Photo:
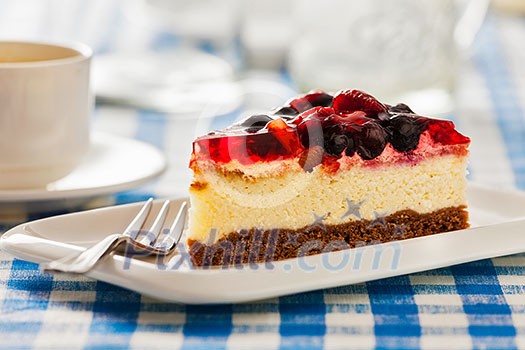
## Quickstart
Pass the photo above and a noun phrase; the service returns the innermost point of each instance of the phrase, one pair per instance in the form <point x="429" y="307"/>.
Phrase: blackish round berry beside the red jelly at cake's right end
<point x="405" y="131"/>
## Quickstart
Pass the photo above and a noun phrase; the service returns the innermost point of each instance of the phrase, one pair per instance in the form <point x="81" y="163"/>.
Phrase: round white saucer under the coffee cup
<point x="112" y="164"/>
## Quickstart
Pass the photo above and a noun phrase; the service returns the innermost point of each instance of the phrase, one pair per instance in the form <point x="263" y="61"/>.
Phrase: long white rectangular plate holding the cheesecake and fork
<point x="497" y="220"/>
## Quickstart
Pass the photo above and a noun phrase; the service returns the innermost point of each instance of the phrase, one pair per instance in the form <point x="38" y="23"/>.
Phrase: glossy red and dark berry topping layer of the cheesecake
<point x="320" y="129"/>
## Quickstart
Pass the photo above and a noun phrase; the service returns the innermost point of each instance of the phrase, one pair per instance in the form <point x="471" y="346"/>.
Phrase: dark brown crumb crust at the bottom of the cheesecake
<point x="257" y="246"/>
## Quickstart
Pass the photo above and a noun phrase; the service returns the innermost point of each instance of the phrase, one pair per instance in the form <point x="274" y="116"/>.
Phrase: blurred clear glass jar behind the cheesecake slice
<point x="397" y="50"/>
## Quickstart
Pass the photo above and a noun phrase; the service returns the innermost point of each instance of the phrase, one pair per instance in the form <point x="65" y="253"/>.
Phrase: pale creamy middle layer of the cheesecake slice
<point x="231" y="202"/>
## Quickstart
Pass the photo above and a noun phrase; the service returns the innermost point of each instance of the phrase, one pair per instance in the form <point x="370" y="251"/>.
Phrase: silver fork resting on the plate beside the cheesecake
<point x="85" y="261"/>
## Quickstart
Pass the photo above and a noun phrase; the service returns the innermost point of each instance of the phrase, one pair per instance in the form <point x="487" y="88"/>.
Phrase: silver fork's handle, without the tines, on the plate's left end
<point x="85" y="261"/>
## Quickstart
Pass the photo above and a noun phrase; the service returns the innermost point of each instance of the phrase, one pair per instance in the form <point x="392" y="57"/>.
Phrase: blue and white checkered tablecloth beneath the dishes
<point x="476" y="305"/>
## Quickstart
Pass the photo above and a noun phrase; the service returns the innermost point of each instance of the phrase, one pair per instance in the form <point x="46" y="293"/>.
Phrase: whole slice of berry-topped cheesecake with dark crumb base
<point x="324" y="173"/>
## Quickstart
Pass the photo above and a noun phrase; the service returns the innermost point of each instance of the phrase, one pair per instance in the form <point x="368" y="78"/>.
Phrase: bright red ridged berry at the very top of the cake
<point x="349" y="101"/>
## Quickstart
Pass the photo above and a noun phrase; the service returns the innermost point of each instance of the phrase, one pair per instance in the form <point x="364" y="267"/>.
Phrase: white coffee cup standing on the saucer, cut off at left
<point x="45" y="107"/>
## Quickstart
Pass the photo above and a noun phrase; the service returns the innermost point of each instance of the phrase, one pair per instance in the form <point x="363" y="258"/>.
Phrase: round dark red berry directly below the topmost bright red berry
<point x="370" y="140"/>
